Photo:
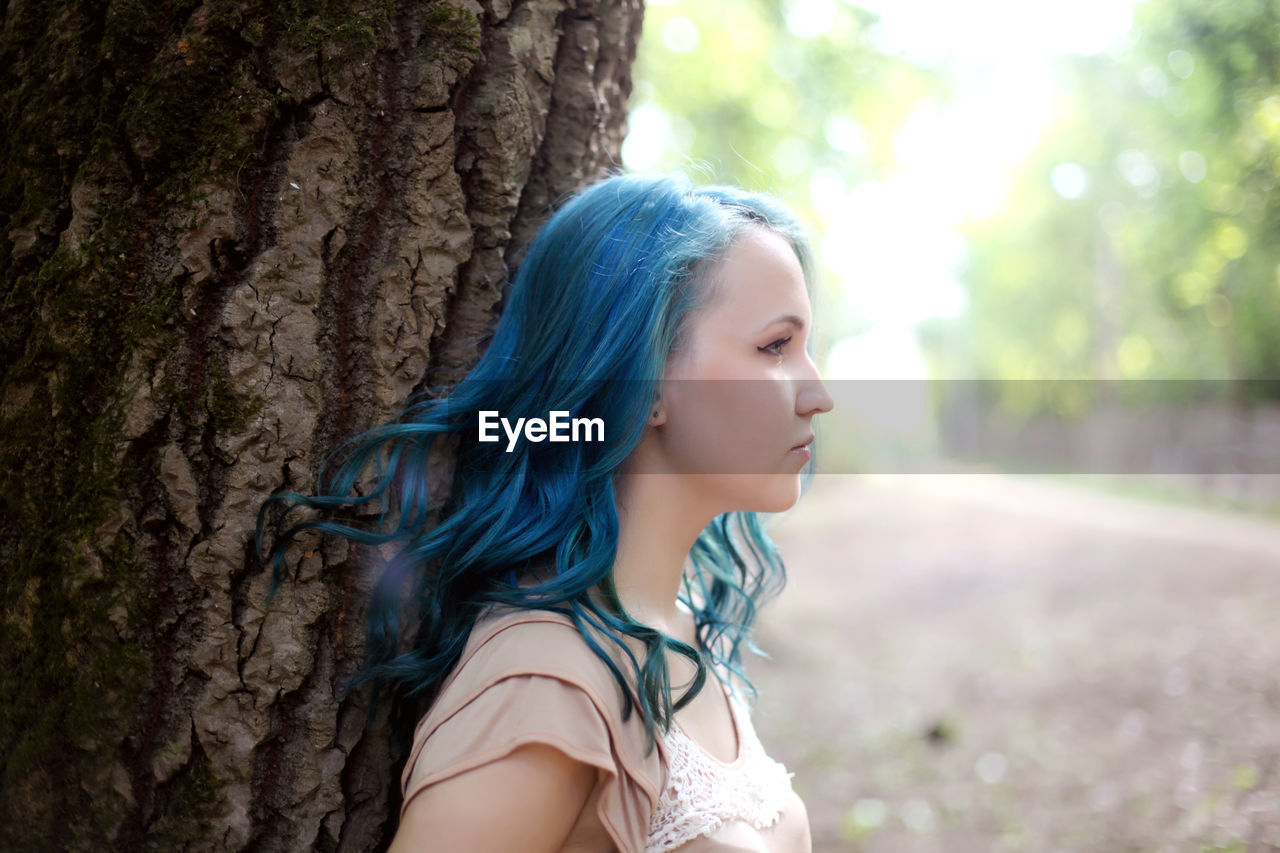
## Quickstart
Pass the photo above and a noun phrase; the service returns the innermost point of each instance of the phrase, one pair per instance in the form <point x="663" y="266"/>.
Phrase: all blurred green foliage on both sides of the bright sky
<point x="1137" y="240"/>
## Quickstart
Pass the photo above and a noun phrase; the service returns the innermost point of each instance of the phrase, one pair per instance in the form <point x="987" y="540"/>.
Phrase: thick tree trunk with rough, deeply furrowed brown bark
<point x="231" y="236"/>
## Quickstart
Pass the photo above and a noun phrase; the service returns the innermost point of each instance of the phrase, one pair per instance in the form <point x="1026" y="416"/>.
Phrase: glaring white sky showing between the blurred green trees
<point x="957" y="158"/>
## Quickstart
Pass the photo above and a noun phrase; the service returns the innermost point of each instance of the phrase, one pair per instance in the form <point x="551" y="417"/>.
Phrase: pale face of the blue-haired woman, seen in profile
<point x="740" y="395"/>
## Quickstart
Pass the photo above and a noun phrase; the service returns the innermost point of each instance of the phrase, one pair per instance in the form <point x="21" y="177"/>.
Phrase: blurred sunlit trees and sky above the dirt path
<point x="1049" y="227"/>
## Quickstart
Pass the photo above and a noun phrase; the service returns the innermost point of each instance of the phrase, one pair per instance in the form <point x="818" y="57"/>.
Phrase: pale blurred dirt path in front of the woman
<point x="998" y="664"/>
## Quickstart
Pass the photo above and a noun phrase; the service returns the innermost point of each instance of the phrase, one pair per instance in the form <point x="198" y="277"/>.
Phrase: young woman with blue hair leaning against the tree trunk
<point x="582" y="605"/>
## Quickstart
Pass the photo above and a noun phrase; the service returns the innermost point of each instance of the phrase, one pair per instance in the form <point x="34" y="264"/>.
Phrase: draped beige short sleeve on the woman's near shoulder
<point x="538" y="683"/>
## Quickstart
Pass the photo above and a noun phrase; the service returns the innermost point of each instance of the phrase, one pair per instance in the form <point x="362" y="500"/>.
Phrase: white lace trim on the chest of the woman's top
<point x="702" y="792"/>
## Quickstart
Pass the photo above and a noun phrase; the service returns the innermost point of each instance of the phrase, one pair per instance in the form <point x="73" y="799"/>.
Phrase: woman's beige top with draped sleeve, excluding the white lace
<point x="528" y="677"/>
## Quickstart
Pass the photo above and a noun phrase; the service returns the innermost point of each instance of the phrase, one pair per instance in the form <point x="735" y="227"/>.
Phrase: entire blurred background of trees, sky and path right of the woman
<point x="1043" y="617"/>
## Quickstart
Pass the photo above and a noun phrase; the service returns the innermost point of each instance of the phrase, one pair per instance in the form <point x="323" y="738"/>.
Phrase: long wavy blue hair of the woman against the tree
<point x="598" y="305"/>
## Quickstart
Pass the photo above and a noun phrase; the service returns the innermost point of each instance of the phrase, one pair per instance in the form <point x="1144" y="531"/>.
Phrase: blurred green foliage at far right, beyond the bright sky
<point x="1140" y="239"/>
